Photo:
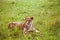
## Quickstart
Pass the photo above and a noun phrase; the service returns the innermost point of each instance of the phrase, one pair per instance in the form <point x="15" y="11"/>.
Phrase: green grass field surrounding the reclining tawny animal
<point x="46" y="15"/>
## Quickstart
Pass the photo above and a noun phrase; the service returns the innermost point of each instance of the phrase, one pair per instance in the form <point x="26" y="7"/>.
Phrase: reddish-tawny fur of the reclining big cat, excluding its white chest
<point x="23" y="25"/>
